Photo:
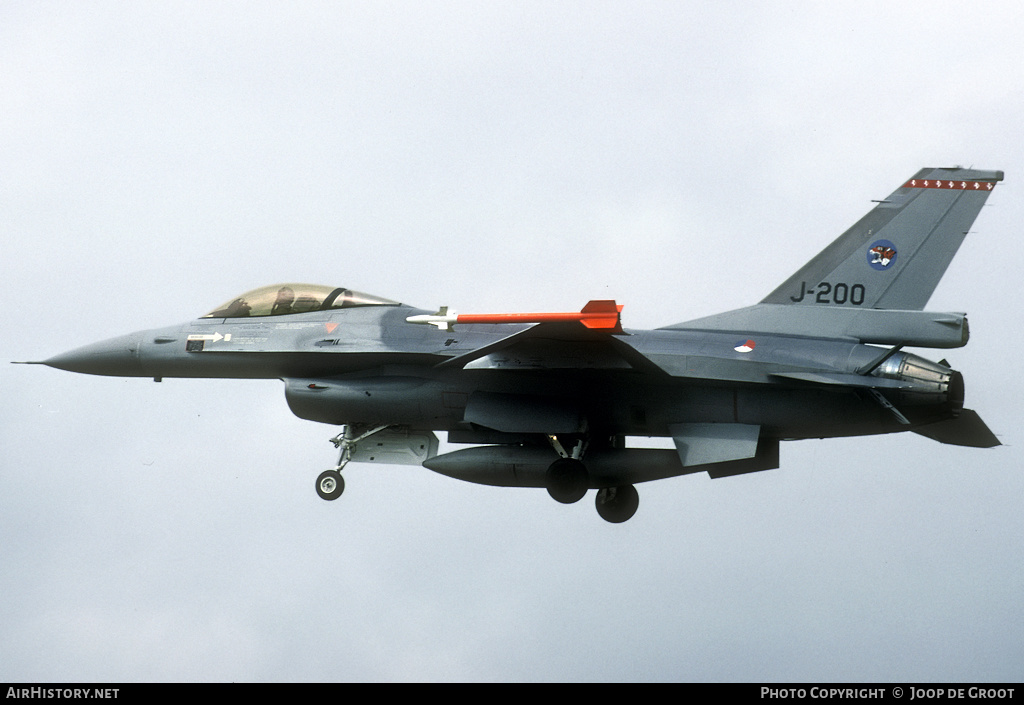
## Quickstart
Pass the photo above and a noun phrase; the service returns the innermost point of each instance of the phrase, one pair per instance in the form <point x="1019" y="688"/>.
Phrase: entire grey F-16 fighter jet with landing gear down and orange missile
<point x="551" y="400"/>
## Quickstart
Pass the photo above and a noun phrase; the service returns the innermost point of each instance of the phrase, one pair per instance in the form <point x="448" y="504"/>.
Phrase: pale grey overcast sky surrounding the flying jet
<point x="684" y="158"/>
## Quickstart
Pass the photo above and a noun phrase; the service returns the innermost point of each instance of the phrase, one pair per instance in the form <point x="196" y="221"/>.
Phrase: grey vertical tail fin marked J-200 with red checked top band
<point x="894" y="257"/>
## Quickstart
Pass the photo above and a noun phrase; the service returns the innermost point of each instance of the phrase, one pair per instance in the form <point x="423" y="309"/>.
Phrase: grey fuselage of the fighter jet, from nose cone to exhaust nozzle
<point x="369" y="366"/>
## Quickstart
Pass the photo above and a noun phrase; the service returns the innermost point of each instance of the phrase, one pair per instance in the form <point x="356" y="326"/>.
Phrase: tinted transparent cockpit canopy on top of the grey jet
<point x="280" y="300"/>
